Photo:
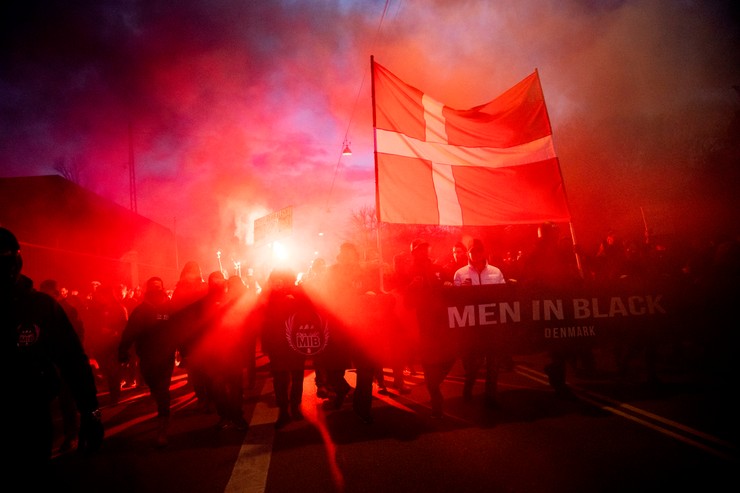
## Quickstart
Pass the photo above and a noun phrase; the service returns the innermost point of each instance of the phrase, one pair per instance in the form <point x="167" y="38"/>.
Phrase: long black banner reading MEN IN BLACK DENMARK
<point x="521" y="320"/>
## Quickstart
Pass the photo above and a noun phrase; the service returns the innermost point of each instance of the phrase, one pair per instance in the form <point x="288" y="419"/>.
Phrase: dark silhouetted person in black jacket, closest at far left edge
<point x="39" y="346"/>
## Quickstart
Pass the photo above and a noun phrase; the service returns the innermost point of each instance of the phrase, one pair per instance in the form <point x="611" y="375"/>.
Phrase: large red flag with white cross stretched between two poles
<point x="494" y="164"/>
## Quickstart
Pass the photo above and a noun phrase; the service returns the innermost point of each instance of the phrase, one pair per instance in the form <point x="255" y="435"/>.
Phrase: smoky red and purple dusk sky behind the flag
<point x="238" y="108"/>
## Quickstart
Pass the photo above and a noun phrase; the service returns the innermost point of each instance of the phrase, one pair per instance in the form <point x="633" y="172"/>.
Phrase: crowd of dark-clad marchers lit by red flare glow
<point x="350" y="314"/>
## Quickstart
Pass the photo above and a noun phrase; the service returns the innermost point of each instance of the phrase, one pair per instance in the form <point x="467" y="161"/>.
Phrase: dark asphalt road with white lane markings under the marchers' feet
<point x="618" y="434"/>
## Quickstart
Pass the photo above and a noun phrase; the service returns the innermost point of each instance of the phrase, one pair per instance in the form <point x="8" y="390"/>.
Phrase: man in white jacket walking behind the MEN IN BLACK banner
<point x="475" y="350"/>
